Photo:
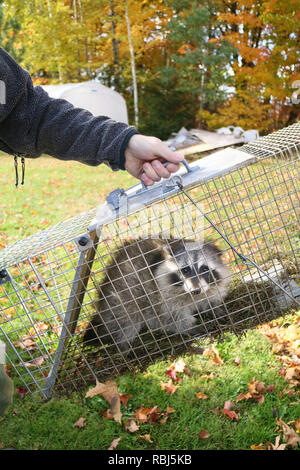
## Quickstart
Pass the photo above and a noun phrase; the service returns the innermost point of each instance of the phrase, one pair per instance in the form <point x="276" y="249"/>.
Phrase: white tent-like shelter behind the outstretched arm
<point x="93" y="96"/>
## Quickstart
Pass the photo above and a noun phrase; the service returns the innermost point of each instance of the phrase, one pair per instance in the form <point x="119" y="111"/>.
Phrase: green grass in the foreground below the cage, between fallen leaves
<point x="37" y="425"/>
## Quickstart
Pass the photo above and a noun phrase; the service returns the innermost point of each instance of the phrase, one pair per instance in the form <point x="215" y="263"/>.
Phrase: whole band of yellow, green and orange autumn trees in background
<point x="176" y="62"/>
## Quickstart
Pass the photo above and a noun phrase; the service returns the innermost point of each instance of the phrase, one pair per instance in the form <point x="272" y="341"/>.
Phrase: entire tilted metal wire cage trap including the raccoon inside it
<point x="156" y="271"/>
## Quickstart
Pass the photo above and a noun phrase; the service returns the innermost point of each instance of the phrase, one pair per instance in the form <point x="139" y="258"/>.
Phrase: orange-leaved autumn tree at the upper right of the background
<point x="266" y="37"/>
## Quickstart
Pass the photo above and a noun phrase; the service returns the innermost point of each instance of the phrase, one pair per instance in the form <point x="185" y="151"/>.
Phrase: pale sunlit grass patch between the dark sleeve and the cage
<point x="53" y="191"/>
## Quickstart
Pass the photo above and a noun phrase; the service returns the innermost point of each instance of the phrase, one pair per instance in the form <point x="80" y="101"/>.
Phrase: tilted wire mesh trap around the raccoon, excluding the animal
<point x="248" y="197"/>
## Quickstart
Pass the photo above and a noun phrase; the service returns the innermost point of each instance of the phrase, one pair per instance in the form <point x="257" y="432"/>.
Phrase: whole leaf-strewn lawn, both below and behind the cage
<point x="55" y="191"/>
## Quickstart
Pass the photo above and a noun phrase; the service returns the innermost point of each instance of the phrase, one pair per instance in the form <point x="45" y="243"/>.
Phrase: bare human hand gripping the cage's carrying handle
<point x="144" y="158"/>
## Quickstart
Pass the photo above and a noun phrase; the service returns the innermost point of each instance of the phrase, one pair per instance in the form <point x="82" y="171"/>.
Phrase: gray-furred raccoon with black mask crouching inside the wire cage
<point x="157" y="284"/>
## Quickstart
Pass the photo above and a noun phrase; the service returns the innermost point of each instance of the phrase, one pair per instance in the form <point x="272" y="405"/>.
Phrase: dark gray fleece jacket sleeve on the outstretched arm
<point x="32" y="123"/>
